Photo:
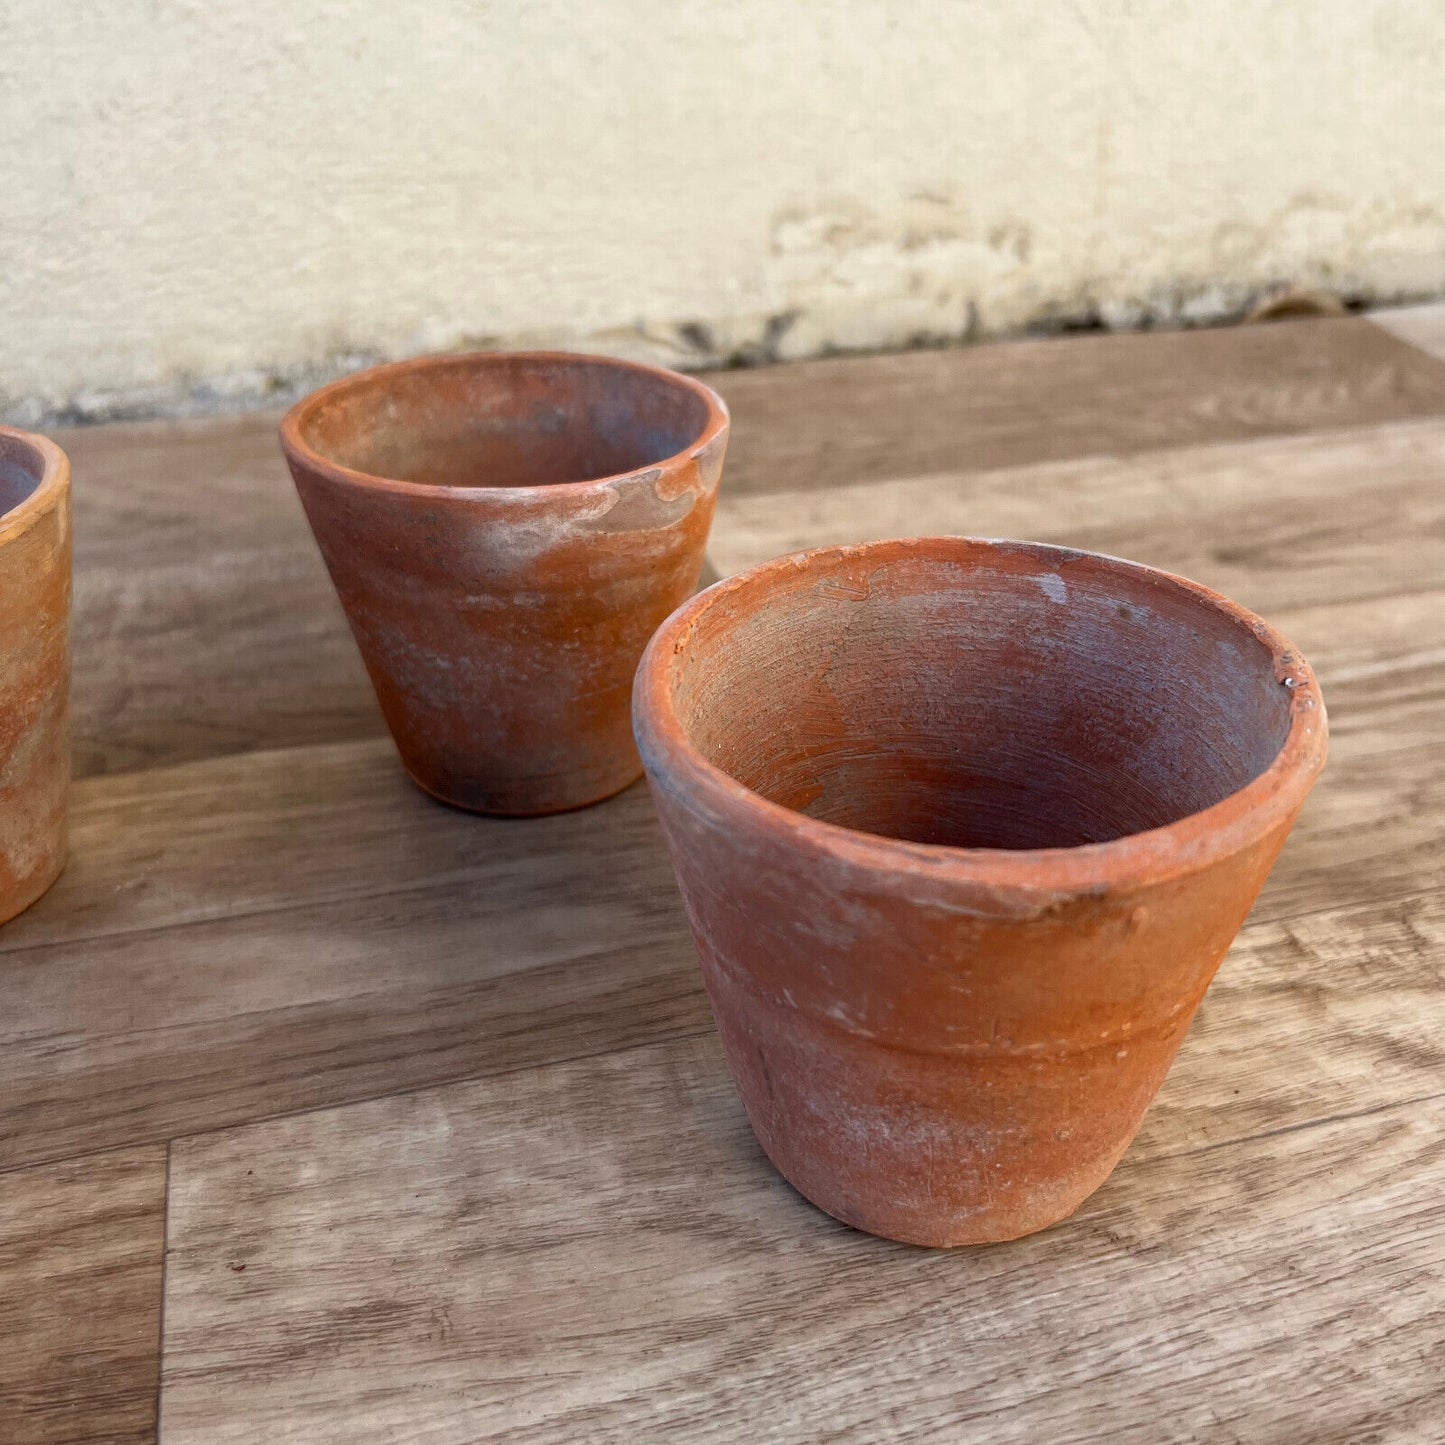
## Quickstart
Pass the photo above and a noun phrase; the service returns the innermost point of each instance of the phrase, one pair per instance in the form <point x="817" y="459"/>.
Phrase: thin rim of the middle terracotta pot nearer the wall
<point x="300" y="450"/>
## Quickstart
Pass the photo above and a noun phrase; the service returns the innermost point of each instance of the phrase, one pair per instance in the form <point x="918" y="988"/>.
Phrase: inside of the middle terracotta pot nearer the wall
<point x="505" y="421"/>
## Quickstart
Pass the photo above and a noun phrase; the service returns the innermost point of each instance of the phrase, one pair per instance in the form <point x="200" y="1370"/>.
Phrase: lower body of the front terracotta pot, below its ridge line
<point x="931" y="1148"/>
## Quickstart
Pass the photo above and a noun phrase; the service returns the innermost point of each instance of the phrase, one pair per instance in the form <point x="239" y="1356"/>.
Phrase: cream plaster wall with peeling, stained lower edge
<point x="207" y="200"/>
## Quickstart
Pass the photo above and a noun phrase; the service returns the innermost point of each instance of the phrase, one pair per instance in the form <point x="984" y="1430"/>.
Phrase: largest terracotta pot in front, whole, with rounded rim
<point x="965" y="830"/>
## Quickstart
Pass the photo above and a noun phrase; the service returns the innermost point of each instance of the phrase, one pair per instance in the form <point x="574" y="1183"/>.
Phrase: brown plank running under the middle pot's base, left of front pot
<point x="249" y="834"/>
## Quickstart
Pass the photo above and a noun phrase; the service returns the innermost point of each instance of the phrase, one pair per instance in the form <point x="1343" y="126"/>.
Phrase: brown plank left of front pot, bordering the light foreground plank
<point x="152" y="1035"/>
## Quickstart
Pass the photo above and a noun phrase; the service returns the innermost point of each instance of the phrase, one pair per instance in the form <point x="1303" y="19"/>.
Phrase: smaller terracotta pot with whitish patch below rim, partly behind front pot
<point x="506" y="532"/>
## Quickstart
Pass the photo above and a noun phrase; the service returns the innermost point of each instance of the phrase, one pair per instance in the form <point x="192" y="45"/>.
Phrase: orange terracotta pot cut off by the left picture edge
<point x="35" y="665"/>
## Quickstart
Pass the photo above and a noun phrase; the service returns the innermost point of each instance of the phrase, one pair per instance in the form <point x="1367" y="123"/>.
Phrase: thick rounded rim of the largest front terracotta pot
<point x="1008" y="879"/>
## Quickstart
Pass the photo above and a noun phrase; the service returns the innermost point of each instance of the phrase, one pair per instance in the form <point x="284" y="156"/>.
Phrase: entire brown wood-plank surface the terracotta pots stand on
<point x="332" y="1115"/>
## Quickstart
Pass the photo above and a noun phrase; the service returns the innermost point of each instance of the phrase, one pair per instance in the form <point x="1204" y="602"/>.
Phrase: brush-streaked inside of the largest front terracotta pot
<point x="980" y="696"/>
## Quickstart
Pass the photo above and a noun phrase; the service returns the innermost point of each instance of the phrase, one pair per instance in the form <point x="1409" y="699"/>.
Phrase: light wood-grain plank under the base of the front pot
<point x="598" y="1251"/>
